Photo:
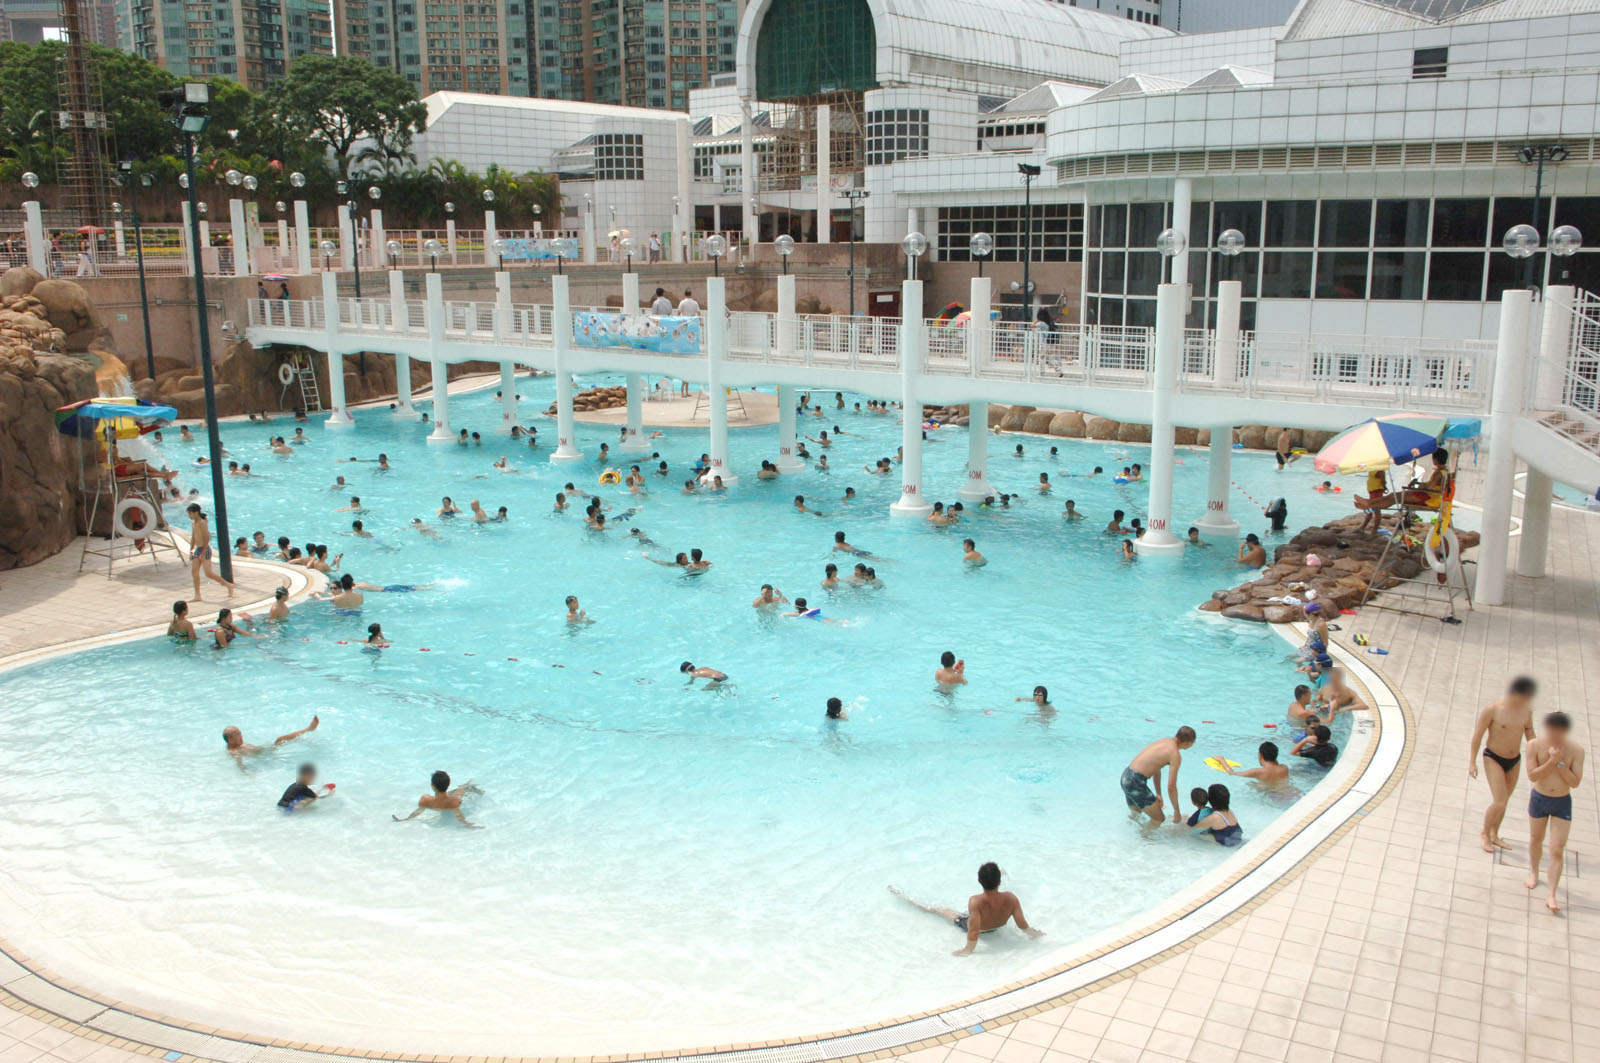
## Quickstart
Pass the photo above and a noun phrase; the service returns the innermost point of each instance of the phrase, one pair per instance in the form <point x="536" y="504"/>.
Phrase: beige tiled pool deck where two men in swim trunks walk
<point x="1398" y="941"/>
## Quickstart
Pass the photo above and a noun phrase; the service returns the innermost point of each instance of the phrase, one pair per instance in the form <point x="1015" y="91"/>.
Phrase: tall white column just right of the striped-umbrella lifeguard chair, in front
<point x="1505" y="406"/>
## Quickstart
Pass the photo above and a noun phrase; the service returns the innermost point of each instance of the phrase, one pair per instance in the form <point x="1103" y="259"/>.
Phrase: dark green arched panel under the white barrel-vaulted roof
<point x="815" y="47"/>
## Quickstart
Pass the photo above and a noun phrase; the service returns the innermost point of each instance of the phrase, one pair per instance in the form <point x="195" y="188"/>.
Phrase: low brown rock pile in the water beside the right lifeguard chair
<point x="1346" y="568"/>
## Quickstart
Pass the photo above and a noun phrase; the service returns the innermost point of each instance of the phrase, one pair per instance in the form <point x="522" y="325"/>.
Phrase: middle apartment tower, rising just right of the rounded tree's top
<point x="442" y="47"/>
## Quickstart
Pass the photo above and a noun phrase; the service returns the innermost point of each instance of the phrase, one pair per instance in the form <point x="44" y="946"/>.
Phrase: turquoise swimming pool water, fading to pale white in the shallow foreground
<point x="662" y="865"/>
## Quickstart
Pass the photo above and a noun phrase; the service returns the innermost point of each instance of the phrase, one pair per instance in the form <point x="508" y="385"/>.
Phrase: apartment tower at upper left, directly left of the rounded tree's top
<point x="249" y="41"/>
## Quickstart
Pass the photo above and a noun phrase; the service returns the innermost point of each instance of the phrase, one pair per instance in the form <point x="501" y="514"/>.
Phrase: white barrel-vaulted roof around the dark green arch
<point x="998" y="47"/>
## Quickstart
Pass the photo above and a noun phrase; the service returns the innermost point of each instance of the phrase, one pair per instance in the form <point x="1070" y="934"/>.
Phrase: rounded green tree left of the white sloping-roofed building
<point x="335" y="103"/>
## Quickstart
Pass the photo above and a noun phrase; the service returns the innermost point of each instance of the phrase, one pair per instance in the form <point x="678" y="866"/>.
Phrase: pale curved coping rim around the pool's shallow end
<point x="1212" y="904"/>
